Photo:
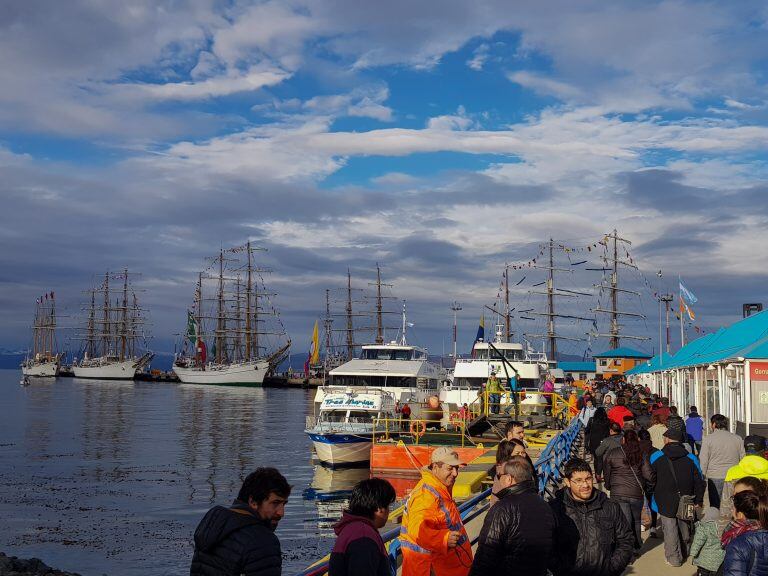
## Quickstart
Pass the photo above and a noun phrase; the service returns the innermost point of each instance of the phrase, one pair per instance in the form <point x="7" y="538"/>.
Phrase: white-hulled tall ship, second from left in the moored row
<point x="114" y="341"/>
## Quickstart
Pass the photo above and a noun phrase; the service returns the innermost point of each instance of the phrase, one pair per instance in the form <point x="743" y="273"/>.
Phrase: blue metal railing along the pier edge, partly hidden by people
<point x="548" y="466"/>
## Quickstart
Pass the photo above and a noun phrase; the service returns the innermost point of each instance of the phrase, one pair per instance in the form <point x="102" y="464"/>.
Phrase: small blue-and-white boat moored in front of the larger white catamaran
<point x="342" y="432"/>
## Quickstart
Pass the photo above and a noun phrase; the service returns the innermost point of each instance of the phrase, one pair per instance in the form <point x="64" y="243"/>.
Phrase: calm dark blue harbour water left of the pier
<point x="112" y="478"/>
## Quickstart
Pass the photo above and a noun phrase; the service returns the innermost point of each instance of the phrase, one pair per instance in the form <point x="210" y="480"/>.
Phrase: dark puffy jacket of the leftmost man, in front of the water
<point x="234" y="541"/>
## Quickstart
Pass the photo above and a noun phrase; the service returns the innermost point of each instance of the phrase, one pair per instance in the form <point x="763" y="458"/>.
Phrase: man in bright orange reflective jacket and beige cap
<point x="432" y="536"/>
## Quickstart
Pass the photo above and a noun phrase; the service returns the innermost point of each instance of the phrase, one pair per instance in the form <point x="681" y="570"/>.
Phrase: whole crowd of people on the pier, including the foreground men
<point x="645" y="471"/>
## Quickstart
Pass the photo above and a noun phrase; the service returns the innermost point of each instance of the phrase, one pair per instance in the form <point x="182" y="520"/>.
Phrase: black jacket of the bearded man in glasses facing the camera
<point x="594" y="537"/>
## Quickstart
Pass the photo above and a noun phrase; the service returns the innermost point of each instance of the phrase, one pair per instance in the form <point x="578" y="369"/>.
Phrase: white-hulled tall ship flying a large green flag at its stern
<point x="232" y="316"/>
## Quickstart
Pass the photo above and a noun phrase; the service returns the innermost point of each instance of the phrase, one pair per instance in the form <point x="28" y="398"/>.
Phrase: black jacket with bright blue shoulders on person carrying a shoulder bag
<point x="689" y="478"/>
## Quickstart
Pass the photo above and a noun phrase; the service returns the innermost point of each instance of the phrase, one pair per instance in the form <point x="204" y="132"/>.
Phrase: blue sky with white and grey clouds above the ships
<point x="442" y="140"/>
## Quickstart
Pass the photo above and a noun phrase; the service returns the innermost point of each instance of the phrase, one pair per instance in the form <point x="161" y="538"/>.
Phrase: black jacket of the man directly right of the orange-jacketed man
<point x="517" y="536"/>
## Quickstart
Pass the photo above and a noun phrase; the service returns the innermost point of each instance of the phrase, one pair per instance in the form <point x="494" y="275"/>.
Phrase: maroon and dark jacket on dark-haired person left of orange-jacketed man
<point x="359" y="549"/>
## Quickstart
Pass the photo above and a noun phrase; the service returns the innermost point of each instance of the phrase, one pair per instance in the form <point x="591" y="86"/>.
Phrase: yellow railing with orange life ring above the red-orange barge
<point x="418" y="431"/>
